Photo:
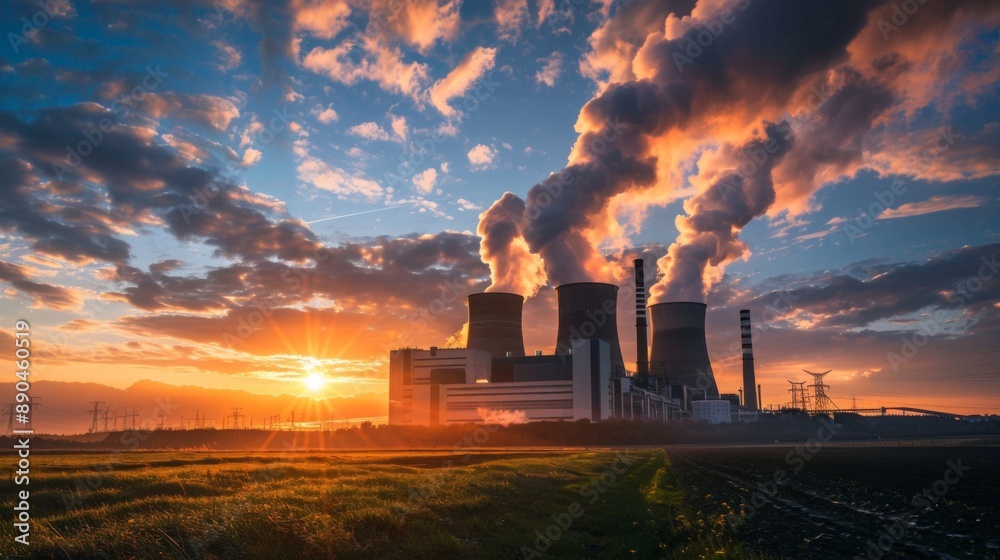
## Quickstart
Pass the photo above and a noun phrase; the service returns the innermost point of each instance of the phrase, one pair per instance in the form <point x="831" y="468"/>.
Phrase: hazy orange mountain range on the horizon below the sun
<point x="66" y="407"/>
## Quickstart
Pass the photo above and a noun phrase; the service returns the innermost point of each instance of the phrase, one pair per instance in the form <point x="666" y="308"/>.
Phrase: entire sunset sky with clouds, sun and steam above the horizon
<point x="243" y="194"/>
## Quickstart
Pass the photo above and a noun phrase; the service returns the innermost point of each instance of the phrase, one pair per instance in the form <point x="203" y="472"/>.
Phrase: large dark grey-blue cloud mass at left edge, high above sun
<point x="76" y="211"/>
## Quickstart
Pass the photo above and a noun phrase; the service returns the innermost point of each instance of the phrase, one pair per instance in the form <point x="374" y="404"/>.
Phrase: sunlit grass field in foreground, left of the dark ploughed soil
<point x="364" y="505"/>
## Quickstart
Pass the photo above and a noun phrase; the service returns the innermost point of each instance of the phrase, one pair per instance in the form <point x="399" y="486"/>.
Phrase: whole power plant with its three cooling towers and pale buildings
<point x="585" y="378"/>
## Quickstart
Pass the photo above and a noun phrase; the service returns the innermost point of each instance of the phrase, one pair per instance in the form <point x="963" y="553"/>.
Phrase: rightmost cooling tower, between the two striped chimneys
<point x="679" y="352"/>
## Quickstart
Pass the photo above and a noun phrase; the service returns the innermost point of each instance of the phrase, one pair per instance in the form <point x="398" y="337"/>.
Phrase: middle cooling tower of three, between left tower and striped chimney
<point x="589" y="310"/>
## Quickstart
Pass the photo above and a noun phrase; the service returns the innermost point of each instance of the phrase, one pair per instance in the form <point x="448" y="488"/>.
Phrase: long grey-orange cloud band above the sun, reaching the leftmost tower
<point x="360" y="275"/>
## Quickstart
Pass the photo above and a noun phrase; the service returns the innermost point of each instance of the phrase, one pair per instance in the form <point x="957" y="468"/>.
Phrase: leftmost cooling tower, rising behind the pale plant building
<point x="495" y="324"/>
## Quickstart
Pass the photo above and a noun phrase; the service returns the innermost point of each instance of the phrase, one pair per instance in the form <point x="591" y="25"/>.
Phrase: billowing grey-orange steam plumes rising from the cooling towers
<point x="767" y="101"/>
